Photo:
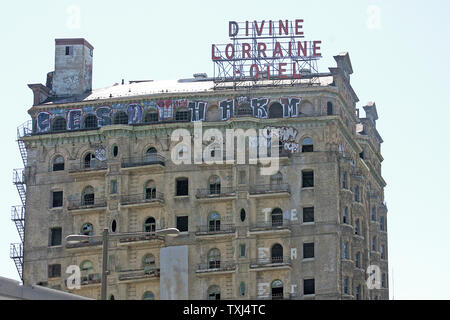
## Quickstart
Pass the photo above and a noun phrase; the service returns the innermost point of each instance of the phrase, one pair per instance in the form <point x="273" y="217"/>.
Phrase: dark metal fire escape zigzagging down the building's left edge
<point x="18" y="212"/>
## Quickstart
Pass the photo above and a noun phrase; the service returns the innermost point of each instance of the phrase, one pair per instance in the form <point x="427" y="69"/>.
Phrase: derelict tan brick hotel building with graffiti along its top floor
<point x="107" y="158"/>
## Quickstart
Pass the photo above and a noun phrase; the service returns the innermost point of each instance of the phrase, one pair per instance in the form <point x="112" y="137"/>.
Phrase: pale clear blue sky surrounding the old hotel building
<point x="400" y="56"/>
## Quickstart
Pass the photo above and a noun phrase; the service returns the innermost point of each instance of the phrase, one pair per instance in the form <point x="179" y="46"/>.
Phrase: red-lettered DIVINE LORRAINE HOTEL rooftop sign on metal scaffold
<point x="265" y="50"/>
